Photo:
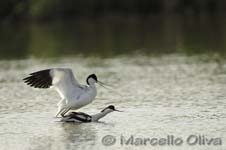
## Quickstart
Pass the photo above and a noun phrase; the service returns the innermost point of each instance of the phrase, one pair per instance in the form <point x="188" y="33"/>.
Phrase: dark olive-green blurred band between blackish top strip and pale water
<point x="107" y="37"/>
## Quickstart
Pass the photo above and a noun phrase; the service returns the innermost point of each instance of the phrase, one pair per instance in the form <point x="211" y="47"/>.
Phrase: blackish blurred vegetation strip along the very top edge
<point x="63" y="9"/>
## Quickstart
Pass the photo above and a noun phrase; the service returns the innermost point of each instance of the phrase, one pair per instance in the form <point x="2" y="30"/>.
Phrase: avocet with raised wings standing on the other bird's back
<point x="73" y="94"/>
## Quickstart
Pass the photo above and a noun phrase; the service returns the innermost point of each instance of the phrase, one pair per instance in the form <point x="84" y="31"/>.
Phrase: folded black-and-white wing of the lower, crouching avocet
<point x="77" y="117"/>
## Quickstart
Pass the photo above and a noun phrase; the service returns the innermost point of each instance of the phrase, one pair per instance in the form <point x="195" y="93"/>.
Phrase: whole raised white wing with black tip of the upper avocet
<point x="61" y="78"/>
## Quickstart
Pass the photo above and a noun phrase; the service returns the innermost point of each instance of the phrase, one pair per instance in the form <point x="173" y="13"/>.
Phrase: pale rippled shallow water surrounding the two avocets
<point x="172" y="95"/>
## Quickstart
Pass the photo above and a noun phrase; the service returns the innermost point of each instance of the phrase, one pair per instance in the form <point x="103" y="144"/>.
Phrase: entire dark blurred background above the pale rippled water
<point x="52" y="28"/>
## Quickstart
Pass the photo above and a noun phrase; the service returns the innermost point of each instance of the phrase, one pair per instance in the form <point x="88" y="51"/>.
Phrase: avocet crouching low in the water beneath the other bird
<point x="80" y="117"/>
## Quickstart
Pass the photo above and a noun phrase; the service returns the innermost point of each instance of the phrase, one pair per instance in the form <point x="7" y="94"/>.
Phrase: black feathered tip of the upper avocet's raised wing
<point x="40" y="79"/>
